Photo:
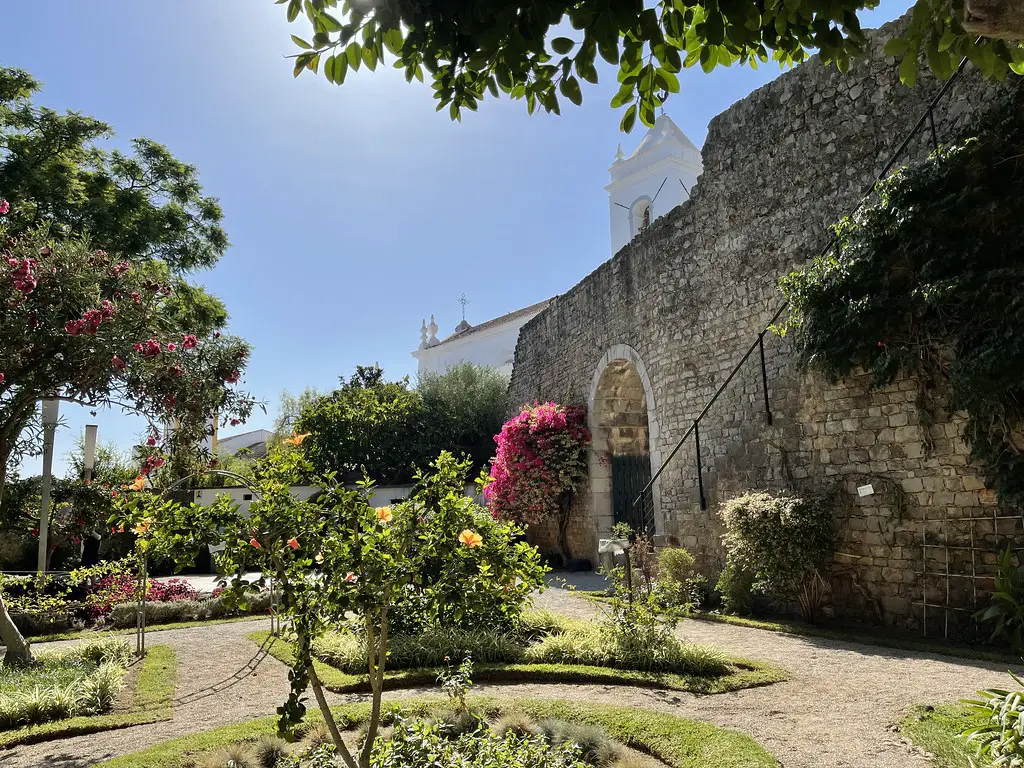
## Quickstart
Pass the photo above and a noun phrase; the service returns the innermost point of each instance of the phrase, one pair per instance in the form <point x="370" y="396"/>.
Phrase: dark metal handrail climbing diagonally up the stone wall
<point x="648" y="511"/>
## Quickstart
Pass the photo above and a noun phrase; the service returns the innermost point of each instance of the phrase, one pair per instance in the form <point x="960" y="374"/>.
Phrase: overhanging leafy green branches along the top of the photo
<point x="541" y="53"/>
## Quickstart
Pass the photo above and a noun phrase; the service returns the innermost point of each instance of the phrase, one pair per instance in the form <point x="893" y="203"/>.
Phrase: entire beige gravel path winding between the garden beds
<point x="837" y="711"/>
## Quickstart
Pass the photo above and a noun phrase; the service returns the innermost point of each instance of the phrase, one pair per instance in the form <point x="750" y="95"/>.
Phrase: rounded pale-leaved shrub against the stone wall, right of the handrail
<point x="785" y="542"/>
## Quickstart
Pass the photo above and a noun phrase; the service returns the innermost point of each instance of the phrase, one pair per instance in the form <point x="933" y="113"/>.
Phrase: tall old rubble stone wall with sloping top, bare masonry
<point x="691" y="295"/>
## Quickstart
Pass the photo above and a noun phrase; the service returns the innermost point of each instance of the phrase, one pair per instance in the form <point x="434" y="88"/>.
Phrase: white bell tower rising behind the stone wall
<point x="657" y="178"/>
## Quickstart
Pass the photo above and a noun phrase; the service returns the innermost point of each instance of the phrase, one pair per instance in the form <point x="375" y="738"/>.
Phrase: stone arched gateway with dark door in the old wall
<point x="624" y="422"/>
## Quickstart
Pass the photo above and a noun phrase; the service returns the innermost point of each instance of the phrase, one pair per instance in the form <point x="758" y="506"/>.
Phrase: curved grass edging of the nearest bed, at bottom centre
<point x="676" y="742"/>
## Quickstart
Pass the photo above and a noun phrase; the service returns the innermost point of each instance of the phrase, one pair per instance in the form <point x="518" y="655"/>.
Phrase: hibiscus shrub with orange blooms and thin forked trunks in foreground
<point x="334" y="556"/>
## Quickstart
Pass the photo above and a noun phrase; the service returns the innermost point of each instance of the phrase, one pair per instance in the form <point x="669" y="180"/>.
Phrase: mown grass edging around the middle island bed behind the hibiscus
<point x="747" y="675"/>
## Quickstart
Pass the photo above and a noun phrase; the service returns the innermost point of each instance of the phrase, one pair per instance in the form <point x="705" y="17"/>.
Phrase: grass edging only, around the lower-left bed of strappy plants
<point x="152" y="702"/>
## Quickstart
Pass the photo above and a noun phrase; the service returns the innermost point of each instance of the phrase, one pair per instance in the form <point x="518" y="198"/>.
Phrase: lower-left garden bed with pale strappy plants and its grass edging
<point x="79" y="692"/>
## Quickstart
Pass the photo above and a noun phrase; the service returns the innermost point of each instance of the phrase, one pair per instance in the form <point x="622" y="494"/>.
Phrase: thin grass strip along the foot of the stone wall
<point x="847" y="636"/>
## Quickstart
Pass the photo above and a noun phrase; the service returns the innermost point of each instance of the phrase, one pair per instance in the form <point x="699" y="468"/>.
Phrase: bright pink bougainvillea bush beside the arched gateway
<point x="541" y="462"/>
